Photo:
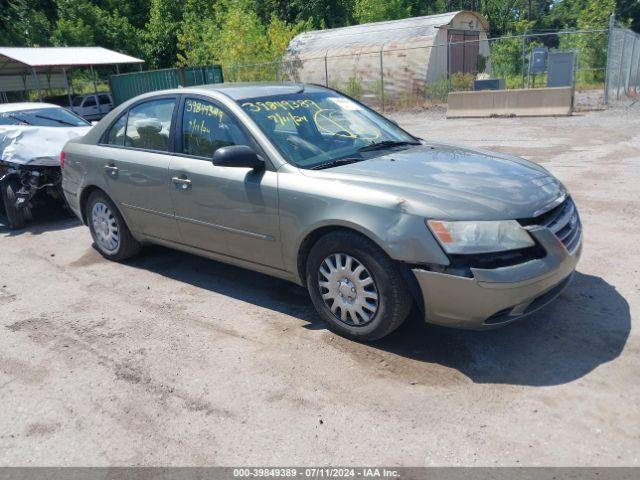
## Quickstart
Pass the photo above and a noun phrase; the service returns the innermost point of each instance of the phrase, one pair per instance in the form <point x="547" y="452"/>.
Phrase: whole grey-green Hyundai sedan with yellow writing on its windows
<point x="305" y="184"/>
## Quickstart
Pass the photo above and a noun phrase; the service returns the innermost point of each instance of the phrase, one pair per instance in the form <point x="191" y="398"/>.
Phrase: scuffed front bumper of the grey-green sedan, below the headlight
<point x="495" y="297"/>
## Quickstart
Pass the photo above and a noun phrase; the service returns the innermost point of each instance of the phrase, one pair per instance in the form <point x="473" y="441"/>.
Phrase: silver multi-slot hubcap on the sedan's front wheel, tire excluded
<point x="348" y="289"/>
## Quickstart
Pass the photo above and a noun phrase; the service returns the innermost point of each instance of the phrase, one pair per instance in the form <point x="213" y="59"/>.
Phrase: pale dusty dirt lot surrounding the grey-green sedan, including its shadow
<point x="175" y="360"/>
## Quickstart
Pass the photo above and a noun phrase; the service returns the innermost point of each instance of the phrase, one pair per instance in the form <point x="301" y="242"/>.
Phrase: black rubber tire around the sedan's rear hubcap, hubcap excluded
<point x="127" y="246"/>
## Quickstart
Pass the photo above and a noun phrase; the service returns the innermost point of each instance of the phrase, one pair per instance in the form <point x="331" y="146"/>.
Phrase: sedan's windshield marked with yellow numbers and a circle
<point x="324" y="129"/>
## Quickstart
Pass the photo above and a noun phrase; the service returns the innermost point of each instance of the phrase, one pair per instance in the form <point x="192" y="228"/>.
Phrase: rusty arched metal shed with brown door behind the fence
<point x="403" y="55"/>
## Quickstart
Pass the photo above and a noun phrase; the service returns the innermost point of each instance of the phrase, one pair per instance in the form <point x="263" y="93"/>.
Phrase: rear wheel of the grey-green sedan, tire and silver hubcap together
<point x="110" y="233"/>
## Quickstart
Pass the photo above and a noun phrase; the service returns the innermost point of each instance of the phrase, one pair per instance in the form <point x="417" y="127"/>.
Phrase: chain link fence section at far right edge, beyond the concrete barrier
<point x="623" y="63"/>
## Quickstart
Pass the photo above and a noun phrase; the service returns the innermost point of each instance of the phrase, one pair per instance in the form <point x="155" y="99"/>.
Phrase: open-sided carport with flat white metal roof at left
<point x="23" y="69"/>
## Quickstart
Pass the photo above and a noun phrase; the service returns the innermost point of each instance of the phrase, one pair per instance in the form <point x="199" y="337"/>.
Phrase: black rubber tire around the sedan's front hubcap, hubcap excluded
<point x="393" y="298"/>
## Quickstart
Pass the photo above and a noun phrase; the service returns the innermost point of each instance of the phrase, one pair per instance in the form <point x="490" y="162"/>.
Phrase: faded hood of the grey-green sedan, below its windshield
<point x="453" y="182"/>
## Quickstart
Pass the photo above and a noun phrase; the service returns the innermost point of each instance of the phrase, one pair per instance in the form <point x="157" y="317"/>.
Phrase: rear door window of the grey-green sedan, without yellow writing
<point x="149" y="125"/>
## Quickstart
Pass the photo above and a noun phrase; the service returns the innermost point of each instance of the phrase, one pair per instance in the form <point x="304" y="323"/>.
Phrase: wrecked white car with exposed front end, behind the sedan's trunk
<point x="31" y="138"/>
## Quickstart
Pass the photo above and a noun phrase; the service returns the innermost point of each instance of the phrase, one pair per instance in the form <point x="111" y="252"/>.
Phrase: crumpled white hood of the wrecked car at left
<point x="35" y="146"/>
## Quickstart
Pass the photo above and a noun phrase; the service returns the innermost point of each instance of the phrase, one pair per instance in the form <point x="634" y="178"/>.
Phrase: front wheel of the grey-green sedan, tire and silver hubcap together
<point x="355" y="287"/>
